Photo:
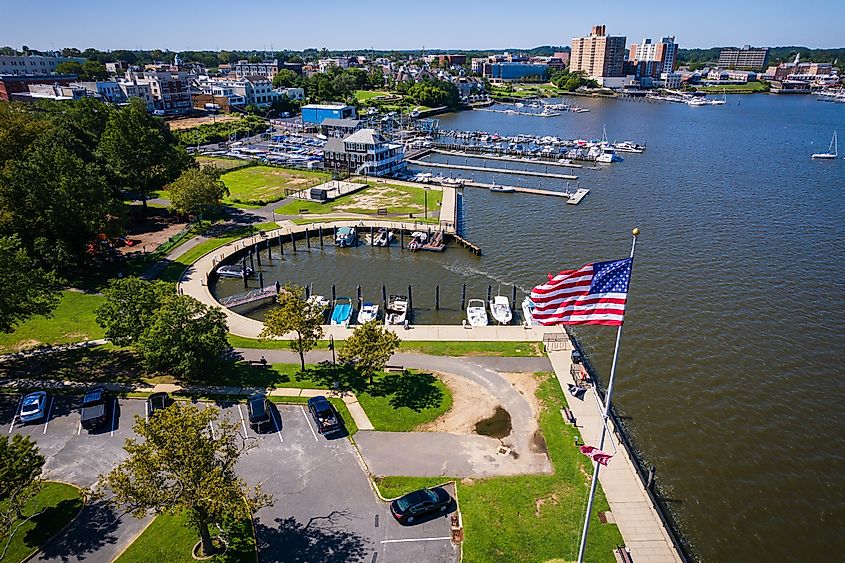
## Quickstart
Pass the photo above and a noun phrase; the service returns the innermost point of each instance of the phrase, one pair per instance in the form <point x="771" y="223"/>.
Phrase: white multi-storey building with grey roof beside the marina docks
<point x="364" y="152"/>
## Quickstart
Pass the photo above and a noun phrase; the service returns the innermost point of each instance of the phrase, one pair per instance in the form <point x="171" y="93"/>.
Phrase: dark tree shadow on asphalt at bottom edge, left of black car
<point x="321" y="539"/>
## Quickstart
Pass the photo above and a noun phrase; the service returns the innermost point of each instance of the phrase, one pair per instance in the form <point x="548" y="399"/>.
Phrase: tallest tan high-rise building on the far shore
<point x="599" y="56"/>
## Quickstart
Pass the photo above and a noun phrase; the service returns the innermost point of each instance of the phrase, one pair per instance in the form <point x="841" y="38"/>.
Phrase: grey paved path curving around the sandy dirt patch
<point x="442" y="453"/>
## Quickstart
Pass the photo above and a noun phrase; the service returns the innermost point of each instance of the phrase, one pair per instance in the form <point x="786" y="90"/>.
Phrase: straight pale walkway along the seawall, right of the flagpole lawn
<point x="638" y="521"/>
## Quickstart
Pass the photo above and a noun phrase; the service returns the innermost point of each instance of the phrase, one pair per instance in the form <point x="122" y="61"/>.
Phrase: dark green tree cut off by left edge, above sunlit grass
<point x="25" y="290"/>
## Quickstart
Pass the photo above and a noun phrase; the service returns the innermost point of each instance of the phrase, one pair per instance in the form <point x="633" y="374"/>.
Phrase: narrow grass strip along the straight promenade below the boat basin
<point x="433" y="348"/>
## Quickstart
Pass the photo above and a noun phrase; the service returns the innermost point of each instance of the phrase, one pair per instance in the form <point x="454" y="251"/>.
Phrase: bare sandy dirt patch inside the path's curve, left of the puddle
<point x="470" y="404"/>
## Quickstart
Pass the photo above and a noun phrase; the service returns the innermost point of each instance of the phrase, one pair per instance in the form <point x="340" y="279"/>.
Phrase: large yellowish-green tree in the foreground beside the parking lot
<point x="178" y="466"/>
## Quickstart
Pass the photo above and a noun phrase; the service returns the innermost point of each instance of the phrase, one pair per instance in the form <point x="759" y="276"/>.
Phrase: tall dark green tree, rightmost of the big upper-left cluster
<point x="140" y="151"/>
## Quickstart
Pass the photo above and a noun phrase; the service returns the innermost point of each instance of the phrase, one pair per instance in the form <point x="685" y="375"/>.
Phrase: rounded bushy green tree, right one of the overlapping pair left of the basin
<point x="184" y="337"/>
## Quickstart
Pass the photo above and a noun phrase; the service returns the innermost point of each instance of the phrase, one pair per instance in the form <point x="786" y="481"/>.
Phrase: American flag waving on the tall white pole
<point x="594" y="294"/>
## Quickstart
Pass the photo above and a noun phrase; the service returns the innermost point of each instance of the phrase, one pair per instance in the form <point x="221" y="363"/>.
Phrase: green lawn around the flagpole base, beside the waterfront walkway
<point x="530" y="517"/>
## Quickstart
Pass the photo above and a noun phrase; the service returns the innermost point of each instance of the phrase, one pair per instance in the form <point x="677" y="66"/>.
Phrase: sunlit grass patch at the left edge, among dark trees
<point x="72" y="321"/>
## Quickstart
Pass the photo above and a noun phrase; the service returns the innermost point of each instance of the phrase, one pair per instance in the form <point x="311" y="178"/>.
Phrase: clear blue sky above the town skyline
<point x="398" y="24"/>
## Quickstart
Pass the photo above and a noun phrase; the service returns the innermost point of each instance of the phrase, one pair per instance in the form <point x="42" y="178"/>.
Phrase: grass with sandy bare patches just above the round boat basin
<point x="397" y="199"/>
